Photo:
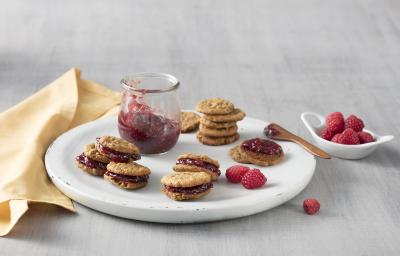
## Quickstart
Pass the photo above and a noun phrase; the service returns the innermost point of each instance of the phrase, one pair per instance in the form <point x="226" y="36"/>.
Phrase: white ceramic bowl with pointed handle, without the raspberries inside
<point x="340" y="150"/>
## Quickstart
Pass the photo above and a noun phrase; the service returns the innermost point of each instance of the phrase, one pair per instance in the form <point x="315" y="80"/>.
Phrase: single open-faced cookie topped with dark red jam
<point x="259" y="151"/>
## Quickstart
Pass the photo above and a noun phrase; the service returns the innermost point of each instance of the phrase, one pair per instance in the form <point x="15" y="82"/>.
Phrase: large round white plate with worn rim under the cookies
<point x="226" y="200"/>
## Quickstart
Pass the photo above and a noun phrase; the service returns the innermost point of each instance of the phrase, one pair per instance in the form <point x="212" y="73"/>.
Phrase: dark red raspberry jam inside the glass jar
<point x="150" y="132"/>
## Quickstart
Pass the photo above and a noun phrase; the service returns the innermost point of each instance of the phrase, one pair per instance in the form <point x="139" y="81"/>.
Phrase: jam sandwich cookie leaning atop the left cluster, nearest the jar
<point x="118" y="150"/>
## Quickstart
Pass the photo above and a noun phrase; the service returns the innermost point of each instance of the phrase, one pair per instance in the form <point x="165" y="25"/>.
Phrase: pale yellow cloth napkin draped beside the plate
<point x="27" y="129"/>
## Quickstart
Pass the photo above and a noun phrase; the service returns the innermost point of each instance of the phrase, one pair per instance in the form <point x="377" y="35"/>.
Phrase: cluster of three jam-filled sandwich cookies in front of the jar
<point x="113" y="158"/>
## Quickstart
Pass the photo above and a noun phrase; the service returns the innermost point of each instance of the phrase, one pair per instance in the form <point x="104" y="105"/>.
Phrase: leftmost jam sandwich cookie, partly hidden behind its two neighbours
<point x="91" y="161"/>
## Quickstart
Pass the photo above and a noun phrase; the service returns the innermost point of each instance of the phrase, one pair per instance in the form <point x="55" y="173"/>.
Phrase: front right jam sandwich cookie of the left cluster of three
<point x="127" y="175"/>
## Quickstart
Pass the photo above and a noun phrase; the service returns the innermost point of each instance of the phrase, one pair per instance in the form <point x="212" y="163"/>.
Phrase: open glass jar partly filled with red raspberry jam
<point x="150" y="112"/>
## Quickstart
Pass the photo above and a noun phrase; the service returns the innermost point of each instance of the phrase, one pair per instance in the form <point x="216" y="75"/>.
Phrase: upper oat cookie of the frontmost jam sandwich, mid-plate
<point x="185" y="179"/>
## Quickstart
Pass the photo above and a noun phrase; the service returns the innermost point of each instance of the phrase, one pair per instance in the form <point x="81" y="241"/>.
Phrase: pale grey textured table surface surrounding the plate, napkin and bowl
<point x="274" y="59"/>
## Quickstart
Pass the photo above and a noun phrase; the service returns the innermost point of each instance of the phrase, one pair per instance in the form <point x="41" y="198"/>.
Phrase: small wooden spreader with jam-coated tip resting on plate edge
<point x="276" y="132"/>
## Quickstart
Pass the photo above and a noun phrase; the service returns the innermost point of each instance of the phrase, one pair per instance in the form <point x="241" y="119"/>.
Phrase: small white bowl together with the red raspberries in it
<point x="342" y="137"/>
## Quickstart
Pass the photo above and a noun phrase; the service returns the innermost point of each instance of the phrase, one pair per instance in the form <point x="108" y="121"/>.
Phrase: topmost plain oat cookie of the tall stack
<point x="215" y="106"/>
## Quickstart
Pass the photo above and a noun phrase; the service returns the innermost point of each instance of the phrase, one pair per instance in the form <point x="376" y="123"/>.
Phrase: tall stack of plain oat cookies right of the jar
<point x="218" y="124"/>
